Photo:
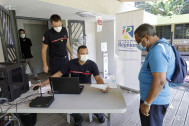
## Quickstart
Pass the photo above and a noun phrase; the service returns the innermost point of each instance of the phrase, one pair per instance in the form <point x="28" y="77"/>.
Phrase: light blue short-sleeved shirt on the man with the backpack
<point x="161" y="58"/>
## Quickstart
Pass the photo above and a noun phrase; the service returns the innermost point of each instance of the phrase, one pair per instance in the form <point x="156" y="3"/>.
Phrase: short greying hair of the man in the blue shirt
<point x="145" y="29"/>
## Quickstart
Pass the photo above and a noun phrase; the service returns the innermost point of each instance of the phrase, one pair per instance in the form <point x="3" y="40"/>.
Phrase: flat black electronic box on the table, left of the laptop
<point x="42" y="101"/>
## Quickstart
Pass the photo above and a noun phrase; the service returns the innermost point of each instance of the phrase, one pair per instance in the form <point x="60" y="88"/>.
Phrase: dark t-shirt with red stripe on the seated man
<point x="84" y="72"/>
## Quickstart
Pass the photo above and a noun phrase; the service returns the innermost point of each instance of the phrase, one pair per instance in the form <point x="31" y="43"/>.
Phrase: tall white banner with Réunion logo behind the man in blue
<point x="127" y="56"/>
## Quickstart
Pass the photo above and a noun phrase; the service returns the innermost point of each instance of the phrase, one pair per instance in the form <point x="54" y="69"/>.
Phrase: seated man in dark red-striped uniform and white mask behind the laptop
<point x="82" y="68"/>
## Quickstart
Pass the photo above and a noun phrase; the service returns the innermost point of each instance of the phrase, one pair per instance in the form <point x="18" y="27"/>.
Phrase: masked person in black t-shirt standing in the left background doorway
<point x="26" y="47"/>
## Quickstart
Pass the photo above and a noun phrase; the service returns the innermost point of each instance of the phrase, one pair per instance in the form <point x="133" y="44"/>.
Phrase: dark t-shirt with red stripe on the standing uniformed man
<point x="57" y="42"/>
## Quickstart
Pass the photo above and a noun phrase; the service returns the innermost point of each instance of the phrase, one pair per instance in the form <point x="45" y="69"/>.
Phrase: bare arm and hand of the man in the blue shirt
<point x="159" y="80"/>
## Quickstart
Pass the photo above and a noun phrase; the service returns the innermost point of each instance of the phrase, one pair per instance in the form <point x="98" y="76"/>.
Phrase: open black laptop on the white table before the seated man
<point x="65" y="85"/>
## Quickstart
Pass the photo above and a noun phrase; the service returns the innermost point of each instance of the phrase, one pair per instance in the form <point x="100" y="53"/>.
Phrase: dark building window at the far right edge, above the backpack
<point x="182" y="31"/>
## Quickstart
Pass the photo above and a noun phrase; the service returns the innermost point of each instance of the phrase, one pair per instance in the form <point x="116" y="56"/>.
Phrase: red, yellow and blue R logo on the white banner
<point x="128" y="32"/>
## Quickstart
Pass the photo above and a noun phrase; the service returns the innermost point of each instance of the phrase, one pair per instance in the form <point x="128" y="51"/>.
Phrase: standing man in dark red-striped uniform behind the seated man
<point x="57" y="40"/>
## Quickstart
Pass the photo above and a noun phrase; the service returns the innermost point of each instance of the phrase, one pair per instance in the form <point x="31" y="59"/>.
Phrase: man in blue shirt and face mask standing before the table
<point x="159" y="63"/>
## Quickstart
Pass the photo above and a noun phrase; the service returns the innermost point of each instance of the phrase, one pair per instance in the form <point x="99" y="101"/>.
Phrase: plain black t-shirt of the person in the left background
<point x="25" y="47"/>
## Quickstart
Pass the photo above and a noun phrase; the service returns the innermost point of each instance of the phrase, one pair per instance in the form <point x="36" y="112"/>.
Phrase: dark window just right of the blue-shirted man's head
<point x="164" y="31"/>
